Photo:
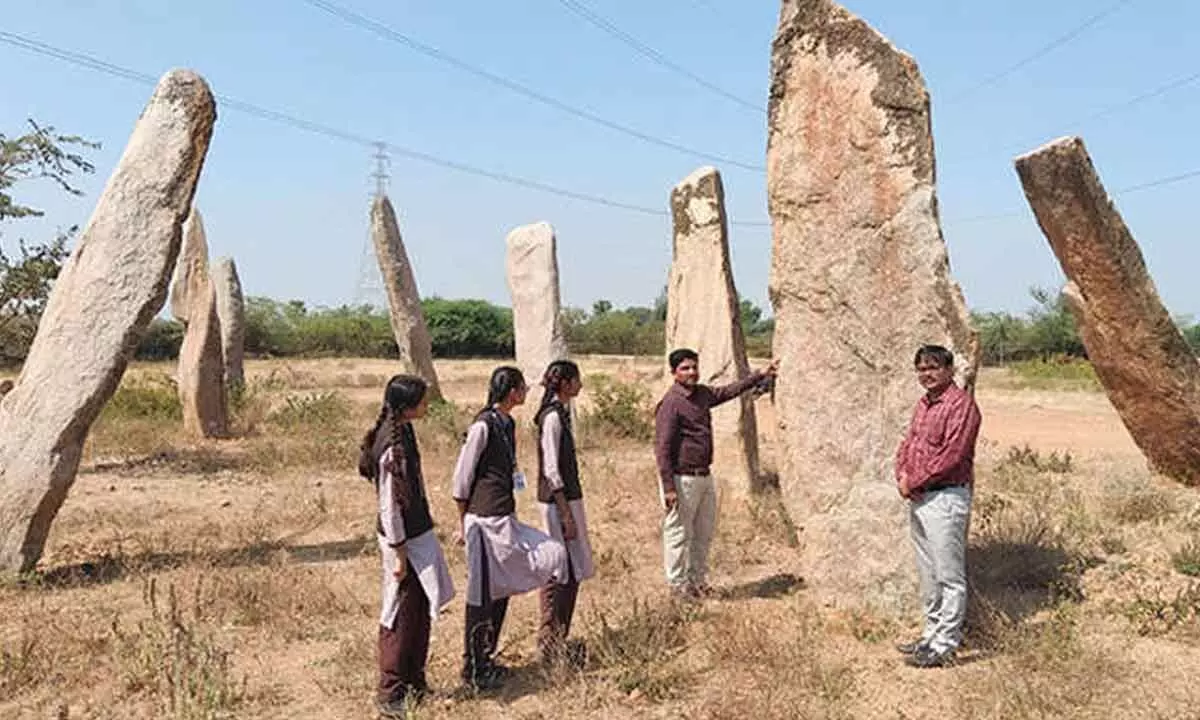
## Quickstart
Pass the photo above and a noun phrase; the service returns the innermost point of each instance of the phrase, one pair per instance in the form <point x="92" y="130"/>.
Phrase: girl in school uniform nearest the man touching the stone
<point x="562" y="509"/>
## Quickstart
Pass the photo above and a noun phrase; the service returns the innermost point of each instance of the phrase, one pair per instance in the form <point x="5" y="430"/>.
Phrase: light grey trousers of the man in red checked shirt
<point x="939" y="523"/>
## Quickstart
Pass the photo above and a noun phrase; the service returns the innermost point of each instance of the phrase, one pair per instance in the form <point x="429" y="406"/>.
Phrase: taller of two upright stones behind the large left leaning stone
<point x="202" y="386"/>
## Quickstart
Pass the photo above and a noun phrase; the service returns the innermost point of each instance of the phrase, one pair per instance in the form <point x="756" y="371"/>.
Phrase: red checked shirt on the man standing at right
<point x="939" y="449"/>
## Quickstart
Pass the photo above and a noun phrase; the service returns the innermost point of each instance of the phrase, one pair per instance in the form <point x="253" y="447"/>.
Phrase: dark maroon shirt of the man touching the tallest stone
<point x="683" y="427"/>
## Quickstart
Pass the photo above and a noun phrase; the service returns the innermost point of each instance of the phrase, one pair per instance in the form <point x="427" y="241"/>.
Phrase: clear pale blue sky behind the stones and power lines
<point x="292" y="207"/>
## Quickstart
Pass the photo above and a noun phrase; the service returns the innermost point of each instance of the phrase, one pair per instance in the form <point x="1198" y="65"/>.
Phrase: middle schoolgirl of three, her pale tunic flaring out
<point x="505" y="557"/>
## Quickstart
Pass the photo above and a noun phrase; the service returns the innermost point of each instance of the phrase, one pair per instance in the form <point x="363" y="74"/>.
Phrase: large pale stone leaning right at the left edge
<point x="113" y="285"/>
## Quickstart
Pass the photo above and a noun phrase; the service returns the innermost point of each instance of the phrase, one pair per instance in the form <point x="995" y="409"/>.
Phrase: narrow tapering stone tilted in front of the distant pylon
<point x="405" y="302"/>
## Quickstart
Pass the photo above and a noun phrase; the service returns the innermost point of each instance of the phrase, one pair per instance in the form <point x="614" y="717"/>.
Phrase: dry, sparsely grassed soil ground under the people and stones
<point x="241" y="580"/>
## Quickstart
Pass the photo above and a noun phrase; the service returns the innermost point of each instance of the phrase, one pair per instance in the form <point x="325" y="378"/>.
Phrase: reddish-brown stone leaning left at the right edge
<point x="1139" y="355"/>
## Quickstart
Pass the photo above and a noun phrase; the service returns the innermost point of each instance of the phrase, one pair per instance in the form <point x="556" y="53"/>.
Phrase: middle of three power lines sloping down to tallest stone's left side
<point x="393" y="35"/>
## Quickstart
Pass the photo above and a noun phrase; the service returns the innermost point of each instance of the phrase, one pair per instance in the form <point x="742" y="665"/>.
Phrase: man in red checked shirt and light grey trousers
<point x="935" y="469"/>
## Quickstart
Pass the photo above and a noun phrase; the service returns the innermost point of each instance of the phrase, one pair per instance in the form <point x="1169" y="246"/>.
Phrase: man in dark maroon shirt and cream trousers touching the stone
<point x="683" y="451"/>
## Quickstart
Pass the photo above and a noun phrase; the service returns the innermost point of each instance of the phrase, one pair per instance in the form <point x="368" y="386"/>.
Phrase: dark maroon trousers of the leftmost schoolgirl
<point x="405" y="647"/>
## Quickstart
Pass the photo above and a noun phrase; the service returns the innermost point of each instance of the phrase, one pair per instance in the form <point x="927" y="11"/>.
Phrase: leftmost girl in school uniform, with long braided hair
<point x="416" y="579"/>
